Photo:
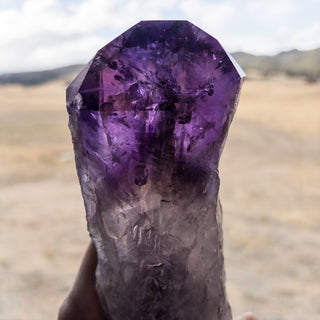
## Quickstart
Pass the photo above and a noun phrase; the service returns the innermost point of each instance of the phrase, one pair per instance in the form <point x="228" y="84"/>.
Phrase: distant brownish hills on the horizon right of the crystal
<point x="292" y="63"/>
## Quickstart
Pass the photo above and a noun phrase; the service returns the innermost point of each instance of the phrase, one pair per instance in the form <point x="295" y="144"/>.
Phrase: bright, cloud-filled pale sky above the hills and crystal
<point x="41" y="34"/>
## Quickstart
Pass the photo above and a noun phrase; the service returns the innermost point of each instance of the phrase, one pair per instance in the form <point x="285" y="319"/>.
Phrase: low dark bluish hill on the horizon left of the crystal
<point x="38" y="77"/>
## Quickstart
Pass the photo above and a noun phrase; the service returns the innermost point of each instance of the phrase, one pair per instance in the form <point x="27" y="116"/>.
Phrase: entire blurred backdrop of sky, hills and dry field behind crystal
<point x="270" y="174"/>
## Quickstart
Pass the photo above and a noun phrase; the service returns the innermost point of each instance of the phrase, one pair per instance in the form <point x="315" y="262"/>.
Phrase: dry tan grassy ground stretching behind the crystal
<point x="270" y="192"/>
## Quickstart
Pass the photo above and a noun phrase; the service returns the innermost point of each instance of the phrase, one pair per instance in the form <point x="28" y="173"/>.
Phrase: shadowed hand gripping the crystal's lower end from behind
<point x="82" y="302"/>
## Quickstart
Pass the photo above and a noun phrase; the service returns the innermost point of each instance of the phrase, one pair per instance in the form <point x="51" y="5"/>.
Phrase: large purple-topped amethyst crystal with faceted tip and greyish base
<point x="149" y="116"/>
